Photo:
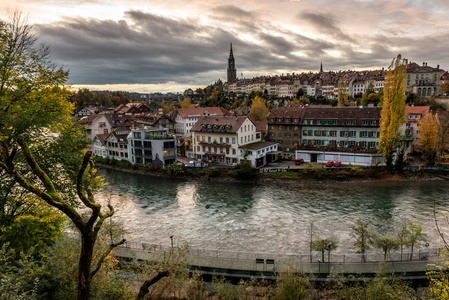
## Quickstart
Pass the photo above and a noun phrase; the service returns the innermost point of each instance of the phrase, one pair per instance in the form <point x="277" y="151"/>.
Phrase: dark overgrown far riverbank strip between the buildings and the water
<point x="311" y="173"/>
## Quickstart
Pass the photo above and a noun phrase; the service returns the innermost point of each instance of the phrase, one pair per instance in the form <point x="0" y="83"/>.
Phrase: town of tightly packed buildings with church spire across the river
<point x="304" y="120"/>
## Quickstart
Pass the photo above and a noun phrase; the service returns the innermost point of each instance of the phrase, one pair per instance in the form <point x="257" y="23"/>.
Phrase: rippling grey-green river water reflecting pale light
<point x="271" y="217"/>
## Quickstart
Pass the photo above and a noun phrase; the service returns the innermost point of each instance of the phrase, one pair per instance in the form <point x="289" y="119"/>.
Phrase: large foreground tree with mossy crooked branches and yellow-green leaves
<point x="35" y="124"/>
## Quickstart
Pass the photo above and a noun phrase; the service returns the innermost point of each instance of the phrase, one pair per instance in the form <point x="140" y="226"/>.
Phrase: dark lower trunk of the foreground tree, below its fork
<point x="85" y="262"/>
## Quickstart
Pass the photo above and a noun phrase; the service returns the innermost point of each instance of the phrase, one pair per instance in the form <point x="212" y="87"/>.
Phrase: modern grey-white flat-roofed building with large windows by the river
<point x="150" y="145"/>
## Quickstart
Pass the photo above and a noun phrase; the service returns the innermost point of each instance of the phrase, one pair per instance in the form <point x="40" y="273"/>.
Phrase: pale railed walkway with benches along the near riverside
<point x="227" y="262"/>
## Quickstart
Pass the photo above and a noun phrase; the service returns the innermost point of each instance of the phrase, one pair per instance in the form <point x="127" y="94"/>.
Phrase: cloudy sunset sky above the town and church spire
<point x="170" y="45"/>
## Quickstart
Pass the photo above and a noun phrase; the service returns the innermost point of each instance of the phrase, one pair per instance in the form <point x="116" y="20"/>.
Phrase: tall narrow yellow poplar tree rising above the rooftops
<point x="393" y="110"/>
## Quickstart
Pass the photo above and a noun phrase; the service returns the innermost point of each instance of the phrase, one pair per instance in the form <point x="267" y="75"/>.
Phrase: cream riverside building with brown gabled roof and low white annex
<point x="230" y="140"/>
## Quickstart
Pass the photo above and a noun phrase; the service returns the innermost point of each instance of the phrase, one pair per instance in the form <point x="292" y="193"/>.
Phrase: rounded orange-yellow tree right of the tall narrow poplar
<point x="430" y="137"/>
